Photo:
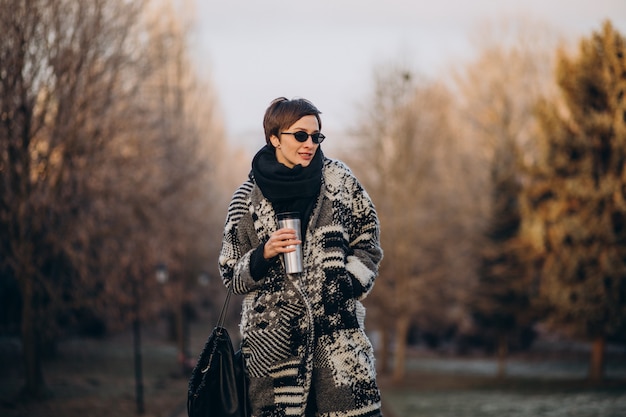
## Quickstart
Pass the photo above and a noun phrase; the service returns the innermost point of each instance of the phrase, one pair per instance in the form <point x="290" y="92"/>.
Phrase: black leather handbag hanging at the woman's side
<point x="218" y="383"/>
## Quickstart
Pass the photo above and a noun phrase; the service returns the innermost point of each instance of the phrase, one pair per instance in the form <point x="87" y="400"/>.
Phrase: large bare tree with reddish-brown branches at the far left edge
<point x="60" y="67"/>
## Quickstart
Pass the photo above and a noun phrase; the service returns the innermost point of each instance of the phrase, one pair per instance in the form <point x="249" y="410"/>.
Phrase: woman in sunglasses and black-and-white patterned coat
<point x="303" y="334"/>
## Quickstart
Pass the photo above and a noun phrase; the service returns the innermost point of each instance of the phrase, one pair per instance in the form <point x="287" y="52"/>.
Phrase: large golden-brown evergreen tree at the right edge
<point x="574" y="210"/>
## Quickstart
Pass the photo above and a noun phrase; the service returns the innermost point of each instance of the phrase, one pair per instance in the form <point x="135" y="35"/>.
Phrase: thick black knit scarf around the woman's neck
<point x="288" y="189"/>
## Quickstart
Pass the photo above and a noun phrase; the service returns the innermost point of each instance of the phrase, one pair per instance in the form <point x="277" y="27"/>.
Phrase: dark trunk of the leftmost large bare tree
<point x="34" y="386"/>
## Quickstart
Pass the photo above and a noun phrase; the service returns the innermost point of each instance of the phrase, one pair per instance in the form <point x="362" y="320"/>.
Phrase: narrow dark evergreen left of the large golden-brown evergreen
<point x="501" y="301"/>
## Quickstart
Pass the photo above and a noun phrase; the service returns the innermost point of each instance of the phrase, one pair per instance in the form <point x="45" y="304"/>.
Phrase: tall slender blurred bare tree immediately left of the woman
<point x="192" y="150"/>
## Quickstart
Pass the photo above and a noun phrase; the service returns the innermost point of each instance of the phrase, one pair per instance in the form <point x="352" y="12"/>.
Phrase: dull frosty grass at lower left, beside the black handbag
<point x="95" y="378"/>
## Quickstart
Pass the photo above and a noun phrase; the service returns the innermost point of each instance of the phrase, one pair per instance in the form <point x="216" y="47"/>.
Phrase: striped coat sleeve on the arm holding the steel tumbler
<point x="237" y="245"/>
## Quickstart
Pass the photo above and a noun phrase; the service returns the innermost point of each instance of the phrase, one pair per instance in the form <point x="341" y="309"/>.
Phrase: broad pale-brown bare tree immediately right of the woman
<point x="414" y="171"/>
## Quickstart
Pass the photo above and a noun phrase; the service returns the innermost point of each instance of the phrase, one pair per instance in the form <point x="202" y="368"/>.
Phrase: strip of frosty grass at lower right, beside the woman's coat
<point x="448" y="395"/>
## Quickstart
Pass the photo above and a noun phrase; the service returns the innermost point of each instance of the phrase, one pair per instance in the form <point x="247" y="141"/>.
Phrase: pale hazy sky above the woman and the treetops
<point x="253" y="51"/>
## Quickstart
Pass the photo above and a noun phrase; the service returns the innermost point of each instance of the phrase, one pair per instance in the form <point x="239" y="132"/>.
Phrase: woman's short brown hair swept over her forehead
<point x="283" y="113"/>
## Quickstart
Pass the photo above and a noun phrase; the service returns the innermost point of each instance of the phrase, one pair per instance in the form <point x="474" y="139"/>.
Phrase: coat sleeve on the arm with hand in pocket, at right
<point x="365" y="252"/>
